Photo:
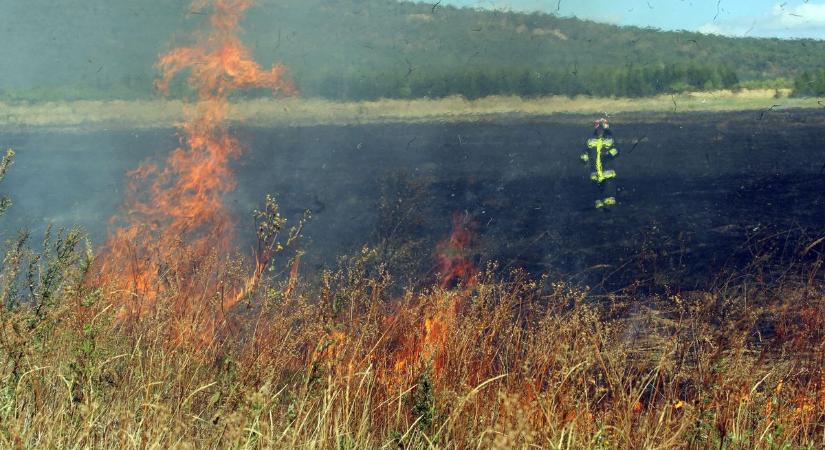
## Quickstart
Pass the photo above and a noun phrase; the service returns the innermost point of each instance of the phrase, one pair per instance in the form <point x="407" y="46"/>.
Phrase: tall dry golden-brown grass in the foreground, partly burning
<point x="343" y="363"/>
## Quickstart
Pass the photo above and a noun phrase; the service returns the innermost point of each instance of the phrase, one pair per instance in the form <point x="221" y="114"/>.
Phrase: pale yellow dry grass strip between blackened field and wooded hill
<point x="86" y="115"/>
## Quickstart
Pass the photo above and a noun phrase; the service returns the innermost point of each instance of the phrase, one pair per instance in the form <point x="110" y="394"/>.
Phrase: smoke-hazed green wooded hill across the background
<point x="362" y="49"/>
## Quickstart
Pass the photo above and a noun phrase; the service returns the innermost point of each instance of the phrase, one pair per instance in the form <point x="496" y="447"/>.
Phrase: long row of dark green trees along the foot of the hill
<point x="473" y="83"/>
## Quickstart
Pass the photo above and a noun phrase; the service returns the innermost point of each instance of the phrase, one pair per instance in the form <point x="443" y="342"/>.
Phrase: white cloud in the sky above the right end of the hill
<point x="800" y="21"/>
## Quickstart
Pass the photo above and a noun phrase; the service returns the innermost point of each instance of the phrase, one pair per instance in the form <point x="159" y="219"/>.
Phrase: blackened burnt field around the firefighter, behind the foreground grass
<point x="698" y="193"/>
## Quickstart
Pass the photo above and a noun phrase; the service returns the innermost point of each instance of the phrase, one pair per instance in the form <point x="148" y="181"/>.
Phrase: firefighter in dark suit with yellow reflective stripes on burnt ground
<point x="599" y="149"/>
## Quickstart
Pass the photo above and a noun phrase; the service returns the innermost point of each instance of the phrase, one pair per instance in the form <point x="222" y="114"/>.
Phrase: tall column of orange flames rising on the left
<point x="174" y="220"/>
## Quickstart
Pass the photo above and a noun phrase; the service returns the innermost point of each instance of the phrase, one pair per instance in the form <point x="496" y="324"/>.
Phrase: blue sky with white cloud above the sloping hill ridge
<point x="757" y="18"/>
